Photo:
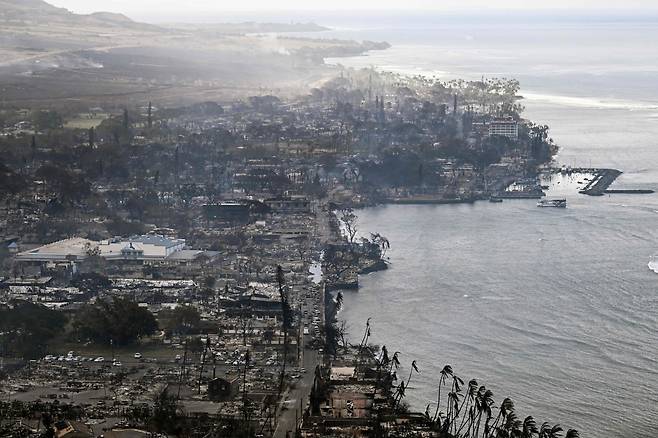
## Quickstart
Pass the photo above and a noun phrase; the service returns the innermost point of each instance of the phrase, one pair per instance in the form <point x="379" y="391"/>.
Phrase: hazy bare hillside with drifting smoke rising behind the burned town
<point x="51" y="56"/>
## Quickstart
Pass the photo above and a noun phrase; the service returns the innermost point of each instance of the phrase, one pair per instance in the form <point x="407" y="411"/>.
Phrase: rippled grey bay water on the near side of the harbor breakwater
<point x="553" y="308"/>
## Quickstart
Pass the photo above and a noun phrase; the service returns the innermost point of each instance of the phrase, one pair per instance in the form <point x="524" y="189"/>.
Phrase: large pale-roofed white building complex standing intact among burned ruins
<point x="146" y="249"/>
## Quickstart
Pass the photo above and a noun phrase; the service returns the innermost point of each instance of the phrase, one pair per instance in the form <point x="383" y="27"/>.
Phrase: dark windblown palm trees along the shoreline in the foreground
<point x="462" y="410"/>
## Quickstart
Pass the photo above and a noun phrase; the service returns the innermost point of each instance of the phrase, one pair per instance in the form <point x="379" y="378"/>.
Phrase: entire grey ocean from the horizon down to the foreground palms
<point x="557" y="309"/>
